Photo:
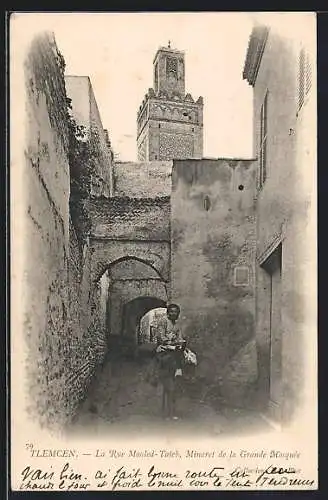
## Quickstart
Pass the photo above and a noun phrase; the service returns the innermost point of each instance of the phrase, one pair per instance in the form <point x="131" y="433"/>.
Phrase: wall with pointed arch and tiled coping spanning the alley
<point x="131" y="238"/>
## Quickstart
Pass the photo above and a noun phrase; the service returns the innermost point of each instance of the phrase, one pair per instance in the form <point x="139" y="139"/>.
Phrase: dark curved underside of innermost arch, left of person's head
<point x="133" y="311"/>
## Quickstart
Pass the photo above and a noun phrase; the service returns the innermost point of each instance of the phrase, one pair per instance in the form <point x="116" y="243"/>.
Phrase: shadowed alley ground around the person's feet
<point x="121" y="397"/>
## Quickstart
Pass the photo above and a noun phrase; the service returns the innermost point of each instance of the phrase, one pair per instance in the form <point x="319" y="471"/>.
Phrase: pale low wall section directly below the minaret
<point x="143" y="179"/>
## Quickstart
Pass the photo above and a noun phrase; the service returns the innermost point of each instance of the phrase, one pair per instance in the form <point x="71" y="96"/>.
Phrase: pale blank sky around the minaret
<point x="116" y="51"/>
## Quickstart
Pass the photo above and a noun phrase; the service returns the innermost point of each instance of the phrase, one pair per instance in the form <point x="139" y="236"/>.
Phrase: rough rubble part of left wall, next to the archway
<point x="86" y="325"/>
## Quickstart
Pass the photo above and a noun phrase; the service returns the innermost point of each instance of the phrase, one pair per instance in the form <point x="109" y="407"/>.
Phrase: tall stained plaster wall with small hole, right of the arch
<point x="213" y="262"/>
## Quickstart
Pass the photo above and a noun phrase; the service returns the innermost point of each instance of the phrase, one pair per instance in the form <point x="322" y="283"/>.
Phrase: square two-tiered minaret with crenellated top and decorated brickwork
<point x="170" y="122"/>
